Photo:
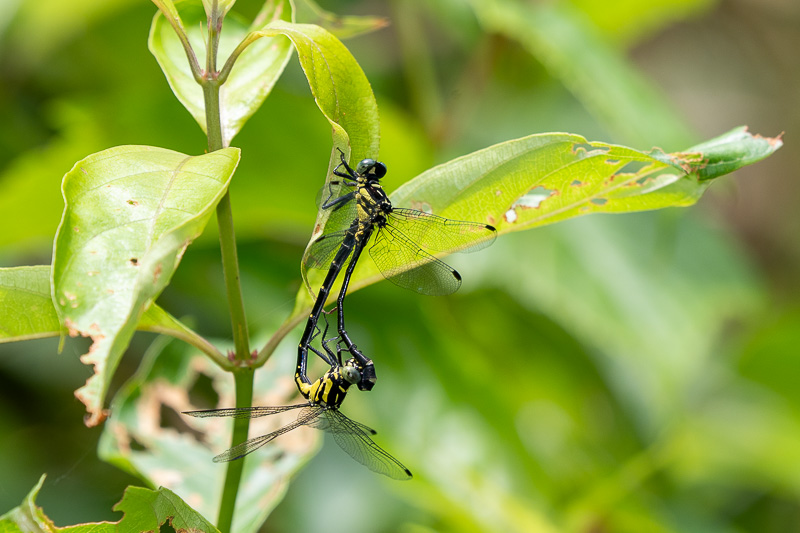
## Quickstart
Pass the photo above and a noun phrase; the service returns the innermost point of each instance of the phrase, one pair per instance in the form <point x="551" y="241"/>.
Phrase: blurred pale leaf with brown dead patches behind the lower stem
<point x="147" y="436"/>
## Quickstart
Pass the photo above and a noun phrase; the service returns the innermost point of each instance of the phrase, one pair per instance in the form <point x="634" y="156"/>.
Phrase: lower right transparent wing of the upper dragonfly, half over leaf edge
<point x="405" y="264"/>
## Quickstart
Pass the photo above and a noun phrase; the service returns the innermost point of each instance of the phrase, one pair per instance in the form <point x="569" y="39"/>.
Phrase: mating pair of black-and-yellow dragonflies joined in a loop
<point x="398" y="249"/>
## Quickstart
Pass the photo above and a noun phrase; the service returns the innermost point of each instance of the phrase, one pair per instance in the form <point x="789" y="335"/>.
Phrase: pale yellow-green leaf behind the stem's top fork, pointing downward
<point x="251" y="79"/>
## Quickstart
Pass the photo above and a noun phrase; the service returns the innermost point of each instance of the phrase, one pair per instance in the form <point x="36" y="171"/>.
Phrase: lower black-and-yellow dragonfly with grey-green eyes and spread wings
<point x="321" y="411"/>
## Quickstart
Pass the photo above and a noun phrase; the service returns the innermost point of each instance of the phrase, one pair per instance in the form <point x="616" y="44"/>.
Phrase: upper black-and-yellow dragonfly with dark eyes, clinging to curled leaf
<point x="401" y="238"/>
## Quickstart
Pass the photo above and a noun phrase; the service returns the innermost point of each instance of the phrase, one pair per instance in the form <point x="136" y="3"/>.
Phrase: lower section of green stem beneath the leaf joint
<point x="243" y="379"/>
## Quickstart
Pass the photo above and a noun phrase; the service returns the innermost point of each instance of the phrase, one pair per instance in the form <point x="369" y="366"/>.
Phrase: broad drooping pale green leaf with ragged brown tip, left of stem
<point x="130" y="213"/>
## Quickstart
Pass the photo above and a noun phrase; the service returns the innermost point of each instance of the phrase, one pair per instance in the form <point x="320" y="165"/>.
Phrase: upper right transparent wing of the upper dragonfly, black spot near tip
<point x="441" y="234"/>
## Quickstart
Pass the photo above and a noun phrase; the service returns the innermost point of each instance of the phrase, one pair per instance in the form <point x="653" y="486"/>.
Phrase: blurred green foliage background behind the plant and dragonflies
<point x="609" y="374"/>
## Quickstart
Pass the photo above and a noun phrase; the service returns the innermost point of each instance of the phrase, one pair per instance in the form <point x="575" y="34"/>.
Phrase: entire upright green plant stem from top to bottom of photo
<point x="243" y="375"/>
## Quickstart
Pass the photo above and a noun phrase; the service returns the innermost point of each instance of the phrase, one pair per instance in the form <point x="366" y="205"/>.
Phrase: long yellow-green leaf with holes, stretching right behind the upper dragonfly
<point x="547" y="178"/>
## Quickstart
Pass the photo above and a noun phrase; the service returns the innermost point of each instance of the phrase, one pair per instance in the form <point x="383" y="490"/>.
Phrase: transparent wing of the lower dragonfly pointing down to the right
<point x="350" y="436"/>
